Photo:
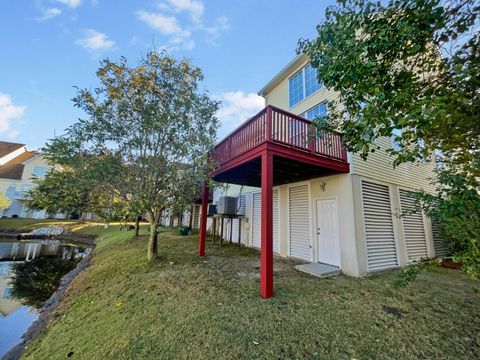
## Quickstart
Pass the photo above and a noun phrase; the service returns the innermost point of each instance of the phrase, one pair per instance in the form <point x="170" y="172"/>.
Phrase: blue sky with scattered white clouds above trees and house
<point x="50" y="47"/>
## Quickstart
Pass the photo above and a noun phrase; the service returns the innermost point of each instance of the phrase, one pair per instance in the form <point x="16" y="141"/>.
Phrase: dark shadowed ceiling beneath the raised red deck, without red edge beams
<point x="285" y="171"/>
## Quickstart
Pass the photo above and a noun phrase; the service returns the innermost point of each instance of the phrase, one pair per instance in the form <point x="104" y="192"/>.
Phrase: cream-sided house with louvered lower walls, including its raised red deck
<point x="327" y="205"/>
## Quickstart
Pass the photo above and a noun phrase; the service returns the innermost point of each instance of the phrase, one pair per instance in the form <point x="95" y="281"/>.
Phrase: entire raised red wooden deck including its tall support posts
<point x="272" y="148"/>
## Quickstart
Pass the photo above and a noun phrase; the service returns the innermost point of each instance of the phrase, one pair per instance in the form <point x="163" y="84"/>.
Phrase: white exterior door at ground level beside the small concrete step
<point x="328" y="239"/>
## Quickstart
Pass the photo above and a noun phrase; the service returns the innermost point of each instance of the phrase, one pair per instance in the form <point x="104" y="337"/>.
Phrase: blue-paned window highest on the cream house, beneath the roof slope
<point x="303" y="84"/>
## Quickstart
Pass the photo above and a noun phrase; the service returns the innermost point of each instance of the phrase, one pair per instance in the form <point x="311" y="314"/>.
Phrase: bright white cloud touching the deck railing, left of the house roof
<point x="237" y="107"/>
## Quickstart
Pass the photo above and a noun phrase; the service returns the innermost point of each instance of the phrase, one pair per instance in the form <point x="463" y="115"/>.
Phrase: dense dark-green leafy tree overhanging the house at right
<point x="409" y="69"/>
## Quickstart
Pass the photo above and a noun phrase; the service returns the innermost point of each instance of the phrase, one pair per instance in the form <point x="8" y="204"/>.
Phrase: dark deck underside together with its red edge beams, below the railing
<point x="288" y="166"/>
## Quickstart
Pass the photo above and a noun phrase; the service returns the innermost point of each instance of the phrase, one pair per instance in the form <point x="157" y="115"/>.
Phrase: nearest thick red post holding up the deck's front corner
<point x="266" y="251"/>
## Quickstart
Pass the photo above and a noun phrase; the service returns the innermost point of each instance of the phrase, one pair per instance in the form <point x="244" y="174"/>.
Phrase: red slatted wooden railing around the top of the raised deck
<point x="283" y="128"/>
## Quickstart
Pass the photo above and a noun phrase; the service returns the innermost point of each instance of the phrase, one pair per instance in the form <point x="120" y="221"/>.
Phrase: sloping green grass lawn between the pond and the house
<point x="183" y="306"/>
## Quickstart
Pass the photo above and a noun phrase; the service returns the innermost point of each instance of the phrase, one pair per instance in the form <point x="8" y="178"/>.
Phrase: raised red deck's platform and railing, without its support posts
<point x="298" y="152"/>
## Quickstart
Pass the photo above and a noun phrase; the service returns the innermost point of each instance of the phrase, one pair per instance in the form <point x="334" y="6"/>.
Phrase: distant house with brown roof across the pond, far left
<point x="18" y="167"/>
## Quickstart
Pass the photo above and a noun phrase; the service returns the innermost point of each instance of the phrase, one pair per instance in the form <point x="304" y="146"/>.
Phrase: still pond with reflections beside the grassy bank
<point x="30" y="272"/>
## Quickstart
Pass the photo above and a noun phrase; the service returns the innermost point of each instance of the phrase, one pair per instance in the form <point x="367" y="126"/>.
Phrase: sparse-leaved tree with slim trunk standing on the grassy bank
<point x="153" y="118"/>
